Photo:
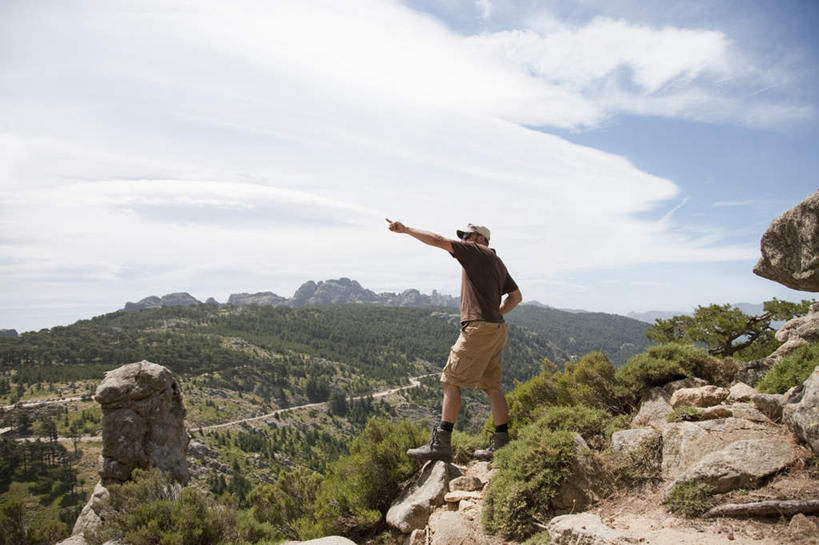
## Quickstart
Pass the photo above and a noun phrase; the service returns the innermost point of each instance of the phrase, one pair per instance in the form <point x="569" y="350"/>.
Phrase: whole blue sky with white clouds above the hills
<point x="627" y="155"/>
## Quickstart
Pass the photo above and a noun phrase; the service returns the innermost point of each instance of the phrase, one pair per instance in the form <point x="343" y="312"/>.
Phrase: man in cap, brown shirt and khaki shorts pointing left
<point x="475" y="358"/>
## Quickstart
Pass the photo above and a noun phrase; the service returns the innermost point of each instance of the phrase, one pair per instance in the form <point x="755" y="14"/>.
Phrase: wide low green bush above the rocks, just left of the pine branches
<point x="662" y="364"/>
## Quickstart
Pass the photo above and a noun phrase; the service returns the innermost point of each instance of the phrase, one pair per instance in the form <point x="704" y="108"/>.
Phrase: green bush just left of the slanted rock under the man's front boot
<point x="360" y="487"/>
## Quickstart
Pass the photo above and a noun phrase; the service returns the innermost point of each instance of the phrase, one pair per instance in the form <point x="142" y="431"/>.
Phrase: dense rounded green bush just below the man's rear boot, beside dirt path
<point x="530" y="472"/>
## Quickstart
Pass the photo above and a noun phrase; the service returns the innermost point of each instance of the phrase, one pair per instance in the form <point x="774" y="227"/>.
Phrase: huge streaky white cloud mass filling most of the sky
<point x="152" y="147"/>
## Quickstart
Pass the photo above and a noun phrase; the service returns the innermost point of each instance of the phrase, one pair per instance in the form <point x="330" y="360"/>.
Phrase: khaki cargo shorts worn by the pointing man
<point x="475" y="358"/>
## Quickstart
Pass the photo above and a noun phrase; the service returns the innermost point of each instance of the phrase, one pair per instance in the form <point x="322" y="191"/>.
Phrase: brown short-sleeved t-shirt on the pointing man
<point x="484" y="280"/>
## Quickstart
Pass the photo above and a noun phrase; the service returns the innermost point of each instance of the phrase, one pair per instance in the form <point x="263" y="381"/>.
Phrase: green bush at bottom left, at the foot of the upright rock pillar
<point x="152" y="510"/>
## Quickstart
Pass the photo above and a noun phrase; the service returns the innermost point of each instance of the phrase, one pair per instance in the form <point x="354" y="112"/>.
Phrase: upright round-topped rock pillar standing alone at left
<point x="143" y="422"/>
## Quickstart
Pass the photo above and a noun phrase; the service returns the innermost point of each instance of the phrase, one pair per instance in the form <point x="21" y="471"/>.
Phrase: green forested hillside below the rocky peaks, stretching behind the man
<point x="359" y="343"/>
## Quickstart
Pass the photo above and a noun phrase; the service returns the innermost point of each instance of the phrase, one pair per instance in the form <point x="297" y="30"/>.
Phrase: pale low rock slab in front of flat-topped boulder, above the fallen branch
<point x="742" y="464"/>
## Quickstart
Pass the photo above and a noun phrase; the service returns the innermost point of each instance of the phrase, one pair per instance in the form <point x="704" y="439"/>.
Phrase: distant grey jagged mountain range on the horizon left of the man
<point x="328" y="292"/>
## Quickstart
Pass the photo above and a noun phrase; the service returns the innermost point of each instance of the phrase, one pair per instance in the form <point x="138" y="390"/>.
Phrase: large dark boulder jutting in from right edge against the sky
<point x="790" y="247"/>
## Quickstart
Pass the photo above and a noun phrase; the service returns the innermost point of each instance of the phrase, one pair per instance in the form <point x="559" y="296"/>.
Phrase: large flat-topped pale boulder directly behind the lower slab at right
<point x="685" y="443"/>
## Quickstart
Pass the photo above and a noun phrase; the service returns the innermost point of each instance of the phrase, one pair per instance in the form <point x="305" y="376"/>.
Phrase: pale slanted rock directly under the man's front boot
<point x="412" y="508"/>
